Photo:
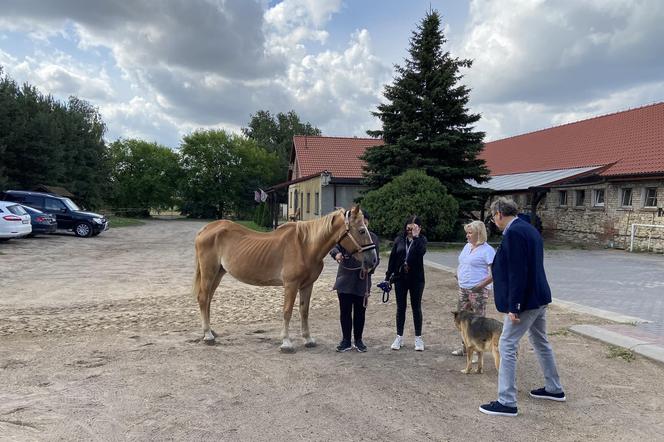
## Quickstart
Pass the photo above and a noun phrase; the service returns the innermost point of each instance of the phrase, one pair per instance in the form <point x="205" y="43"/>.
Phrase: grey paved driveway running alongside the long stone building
<point x="620" y="282"/>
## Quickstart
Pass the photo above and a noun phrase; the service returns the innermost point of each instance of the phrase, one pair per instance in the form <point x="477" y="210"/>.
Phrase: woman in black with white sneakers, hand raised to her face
<point x="406" y="269"/>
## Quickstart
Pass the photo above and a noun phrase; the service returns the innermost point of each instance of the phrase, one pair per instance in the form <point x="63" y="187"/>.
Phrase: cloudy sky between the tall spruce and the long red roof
<point x="539" y="63"/>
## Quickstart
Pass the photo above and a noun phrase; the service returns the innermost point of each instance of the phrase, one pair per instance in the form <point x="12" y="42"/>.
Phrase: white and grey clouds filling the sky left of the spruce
<point x="205" y="63"/>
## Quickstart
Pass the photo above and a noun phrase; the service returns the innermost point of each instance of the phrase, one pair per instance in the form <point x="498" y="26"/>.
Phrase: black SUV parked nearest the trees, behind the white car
<point x="67" y="213"/>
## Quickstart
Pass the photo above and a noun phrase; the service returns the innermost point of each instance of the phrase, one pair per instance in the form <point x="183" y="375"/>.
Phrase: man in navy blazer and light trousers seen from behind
<point x="522" y="292"/>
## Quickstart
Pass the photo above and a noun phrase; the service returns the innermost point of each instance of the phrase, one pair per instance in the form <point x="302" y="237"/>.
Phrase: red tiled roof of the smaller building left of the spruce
<point x="338" y="155"/>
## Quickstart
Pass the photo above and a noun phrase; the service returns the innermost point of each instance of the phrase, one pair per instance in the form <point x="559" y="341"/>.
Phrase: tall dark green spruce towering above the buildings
<point x="426" y="122"/>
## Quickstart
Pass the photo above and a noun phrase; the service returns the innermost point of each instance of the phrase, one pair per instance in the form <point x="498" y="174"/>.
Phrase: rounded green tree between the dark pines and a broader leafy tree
<point x="143" y="176"/>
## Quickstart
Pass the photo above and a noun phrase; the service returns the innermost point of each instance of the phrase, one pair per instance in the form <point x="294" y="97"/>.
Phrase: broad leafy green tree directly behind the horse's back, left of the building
<point x="221" y="173"/>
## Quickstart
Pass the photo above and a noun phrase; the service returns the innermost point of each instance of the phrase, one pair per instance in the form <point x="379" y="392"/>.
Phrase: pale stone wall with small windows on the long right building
<point x="607" y="225"/>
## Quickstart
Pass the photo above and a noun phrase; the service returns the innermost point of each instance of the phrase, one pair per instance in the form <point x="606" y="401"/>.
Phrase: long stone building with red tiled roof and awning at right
<point x="596" y="180"/>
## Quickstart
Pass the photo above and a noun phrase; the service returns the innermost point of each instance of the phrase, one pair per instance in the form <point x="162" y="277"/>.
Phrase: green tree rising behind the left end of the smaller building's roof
<point x="274" y="133"/>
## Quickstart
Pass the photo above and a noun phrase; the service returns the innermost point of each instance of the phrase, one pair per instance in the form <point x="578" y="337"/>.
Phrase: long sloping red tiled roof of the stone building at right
<point x="633" y="140"/>
